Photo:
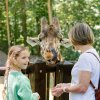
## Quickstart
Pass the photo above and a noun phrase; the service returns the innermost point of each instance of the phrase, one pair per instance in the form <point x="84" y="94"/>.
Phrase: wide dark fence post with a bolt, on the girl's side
<point x="40" y="80"/>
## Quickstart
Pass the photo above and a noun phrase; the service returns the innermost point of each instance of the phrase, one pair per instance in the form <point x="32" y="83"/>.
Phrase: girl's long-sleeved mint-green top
<point x="19" y="87"/>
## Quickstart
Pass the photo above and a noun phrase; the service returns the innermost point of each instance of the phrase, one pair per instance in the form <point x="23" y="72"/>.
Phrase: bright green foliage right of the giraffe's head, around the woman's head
<point x="72" y="11"/>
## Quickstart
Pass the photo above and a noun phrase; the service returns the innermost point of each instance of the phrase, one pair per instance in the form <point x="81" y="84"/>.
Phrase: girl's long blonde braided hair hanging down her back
<point x="14" y="52"/>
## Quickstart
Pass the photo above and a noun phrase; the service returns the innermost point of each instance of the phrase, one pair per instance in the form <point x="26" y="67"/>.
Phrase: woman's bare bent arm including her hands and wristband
<point x="84" y="81"/>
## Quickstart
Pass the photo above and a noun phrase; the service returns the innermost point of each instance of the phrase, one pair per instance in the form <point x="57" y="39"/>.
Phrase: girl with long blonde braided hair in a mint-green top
<point x="17" y="84"/>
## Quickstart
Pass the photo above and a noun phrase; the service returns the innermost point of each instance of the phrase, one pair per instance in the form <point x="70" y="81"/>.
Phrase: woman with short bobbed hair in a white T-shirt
<point x="86" y="69"/>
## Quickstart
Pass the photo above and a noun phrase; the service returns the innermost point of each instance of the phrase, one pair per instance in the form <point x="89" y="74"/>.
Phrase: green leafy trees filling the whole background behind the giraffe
<point x="25" y="15"/>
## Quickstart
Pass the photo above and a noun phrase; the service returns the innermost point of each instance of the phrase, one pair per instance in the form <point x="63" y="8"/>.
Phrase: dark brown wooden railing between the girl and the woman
<point x="43" y="78"/>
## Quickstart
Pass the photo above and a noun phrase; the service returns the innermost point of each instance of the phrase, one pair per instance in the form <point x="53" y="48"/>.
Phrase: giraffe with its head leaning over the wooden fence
<point x="50" y="39"/>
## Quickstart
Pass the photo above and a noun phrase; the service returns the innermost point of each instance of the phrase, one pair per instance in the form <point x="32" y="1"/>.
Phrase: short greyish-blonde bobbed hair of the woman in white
<point x="81" y="34"/>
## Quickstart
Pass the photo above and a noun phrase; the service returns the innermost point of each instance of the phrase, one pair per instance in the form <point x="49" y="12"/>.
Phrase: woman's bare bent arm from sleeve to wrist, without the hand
<point x="84" y="81"/>
